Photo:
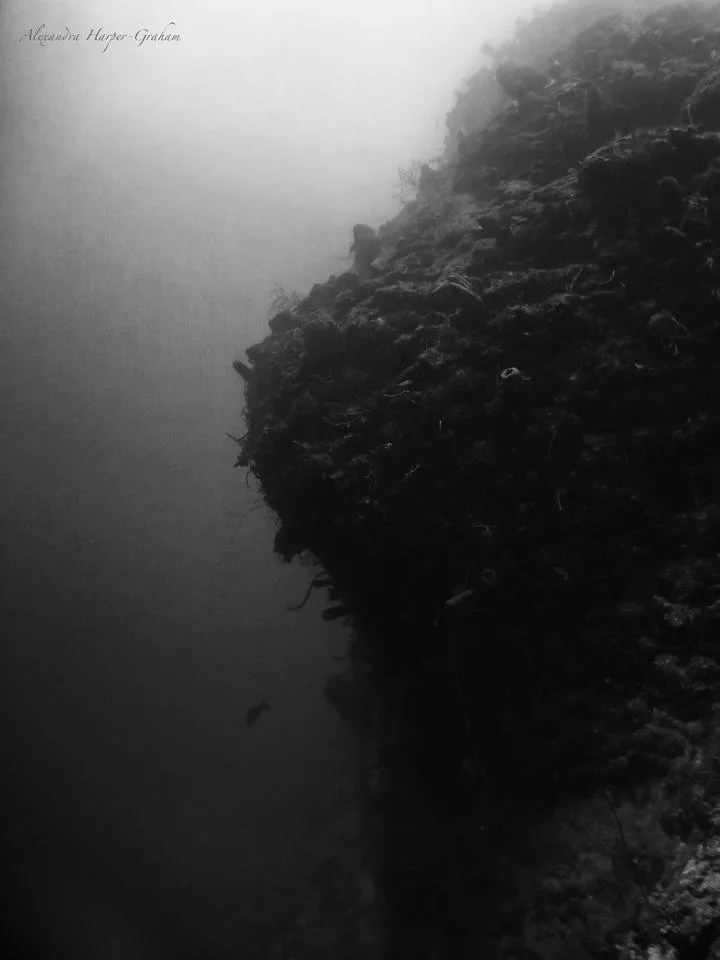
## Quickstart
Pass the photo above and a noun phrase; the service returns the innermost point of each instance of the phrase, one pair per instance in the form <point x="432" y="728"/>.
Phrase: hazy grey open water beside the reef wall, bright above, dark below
<point x="149" y="200"/>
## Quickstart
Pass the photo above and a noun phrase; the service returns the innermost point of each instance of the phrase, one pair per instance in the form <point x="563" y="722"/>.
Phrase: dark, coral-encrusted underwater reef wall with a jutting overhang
<point x="501" y="441"/>
